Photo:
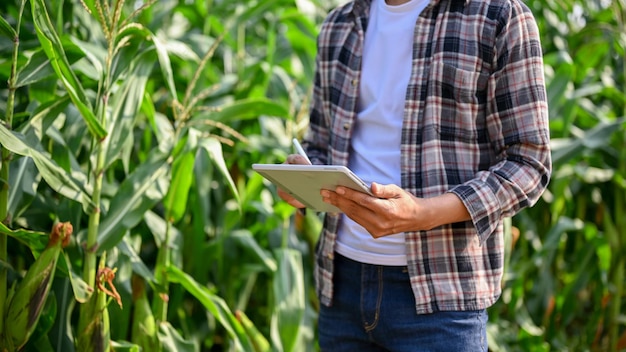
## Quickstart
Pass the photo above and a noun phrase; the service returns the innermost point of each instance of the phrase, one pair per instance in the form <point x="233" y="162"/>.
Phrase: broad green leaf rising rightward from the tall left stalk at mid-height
<point x="139" y="192"/>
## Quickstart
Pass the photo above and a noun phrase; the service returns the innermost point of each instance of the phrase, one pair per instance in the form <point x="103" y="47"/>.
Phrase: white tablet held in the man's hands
<point x="304" y="182"/>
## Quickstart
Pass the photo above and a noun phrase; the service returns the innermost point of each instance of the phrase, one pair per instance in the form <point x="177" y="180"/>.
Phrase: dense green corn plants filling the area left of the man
<point x="106" y="139"/>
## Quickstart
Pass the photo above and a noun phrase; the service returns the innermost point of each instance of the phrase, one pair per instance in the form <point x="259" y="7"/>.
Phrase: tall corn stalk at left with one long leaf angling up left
<point x="96" y="120"/>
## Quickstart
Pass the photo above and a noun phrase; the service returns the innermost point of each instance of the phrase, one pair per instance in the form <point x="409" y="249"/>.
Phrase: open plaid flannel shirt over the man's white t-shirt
<point x="475" y="124"/>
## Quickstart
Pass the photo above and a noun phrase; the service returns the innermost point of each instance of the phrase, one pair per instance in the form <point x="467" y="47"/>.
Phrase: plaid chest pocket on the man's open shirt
<point x="457" y="101"/>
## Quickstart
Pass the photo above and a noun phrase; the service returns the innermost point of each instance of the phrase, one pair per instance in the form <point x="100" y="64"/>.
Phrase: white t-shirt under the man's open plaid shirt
<point x="375" y="148"/>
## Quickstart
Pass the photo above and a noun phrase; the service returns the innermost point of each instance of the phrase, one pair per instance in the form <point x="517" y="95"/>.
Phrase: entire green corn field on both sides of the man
<point x="132" y="221"/>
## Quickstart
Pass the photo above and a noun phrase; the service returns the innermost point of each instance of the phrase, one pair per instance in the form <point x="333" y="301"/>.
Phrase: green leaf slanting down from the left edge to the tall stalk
<point x="55" y="176"/>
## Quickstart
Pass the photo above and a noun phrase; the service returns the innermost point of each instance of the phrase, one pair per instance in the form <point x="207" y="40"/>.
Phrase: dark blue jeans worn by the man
<point x="374" y="310"/>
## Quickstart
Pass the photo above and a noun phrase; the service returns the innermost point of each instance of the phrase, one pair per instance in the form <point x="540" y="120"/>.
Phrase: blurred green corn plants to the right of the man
<point x="565" y="288"/>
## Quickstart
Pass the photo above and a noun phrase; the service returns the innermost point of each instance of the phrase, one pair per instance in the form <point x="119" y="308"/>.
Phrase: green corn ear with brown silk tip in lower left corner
<point x="26" y="302"/>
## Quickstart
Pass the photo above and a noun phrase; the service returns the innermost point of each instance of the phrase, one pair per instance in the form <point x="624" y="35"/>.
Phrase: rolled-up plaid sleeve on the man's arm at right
<point x="518" y="127"/>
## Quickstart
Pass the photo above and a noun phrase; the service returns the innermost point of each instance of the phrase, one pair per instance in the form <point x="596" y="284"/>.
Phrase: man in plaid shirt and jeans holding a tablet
<point x="441" y="105"/>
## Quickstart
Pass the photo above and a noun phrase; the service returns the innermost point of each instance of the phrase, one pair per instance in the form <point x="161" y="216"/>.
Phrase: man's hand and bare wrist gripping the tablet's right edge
<point x="393" y="210"/>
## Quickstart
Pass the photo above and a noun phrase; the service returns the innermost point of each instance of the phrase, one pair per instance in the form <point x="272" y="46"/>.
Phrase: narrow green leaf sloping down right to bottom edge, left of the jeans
<point x="215" y="305"/>
